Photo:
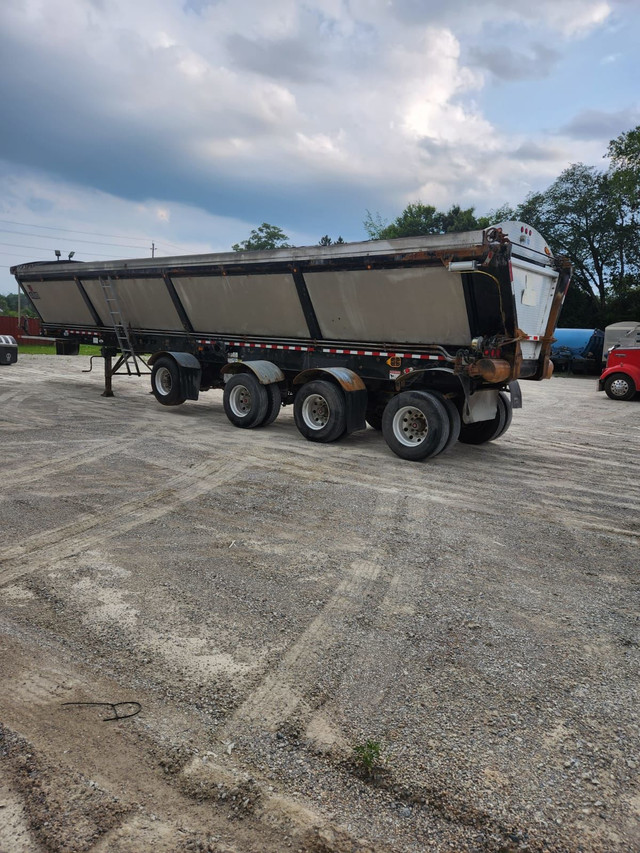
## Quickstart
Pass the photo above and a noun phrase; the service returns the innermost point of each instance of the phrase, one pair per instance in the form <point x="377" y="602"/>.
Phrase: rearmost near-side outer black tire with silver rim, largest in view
<point x="415" y="425"/>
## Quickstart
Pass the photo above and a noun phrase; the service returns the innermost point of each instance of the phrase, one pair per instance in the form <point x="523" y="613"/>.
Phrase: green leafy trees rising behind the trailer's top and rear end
<point x="590" y="215"/>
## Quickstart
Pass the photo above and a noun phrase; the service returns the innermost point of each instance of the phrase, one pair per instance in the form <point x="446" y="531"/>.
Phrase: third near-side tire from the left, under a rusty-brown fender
<point x="320" y="411"/>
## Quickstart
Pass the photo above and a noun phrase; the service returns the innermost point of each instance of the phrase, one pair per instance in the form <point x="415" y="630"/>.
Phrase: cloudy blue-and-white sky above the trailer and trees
<point x="189" y="122"/>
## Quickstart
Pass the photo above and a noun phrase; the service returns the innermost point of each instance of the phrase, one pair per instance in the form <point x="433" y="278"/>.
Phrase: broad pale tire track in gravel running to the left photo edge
<point x="45" y="548"/>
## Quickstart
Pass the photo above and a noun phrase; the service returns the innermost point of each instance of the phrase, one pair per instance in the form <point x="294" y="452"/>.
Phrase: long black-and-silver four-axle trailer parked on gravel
<point x="419" y="337"/>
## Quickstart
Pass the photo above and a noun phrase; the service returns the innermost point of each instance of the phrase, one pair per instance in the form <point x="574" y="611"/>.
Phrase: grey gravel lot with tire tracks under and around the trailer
<point x="272" y="604"/>
